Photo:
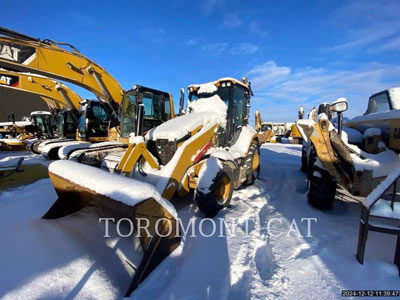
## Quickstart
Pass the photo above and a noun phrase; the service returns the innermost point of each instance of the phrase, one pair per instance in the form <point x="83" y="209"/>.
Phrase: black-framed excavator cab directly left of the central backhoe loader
<point x="158" y="108"/>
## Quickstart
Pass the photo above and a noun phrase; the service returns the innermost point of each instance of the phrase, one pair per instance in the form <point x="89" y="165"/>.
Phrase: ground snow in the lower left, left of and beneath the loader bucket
<point x="67" y="258"/>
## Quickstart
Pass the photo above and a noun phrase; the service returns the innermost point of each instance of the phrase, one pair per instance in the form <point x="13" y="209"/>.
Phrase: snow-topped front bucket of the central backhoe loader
<point x="118" y="197"/>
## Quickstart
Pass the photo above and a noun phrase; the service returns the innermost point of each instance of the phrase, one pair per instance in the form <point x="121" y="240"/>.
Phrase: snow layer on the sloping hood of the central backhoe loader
<point x="180" y="126"/>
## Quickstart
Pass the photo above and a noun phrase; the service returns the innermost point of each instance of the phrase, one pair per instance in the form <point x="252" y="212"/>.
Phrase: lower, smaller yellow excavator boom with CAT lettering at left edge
<point x="54" y="93"/>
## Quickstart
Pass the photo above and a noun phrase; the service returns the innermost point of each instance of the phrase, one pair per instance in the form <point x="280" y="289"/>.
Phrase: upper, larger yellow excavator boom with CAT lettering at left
<point x="45" y="57"/>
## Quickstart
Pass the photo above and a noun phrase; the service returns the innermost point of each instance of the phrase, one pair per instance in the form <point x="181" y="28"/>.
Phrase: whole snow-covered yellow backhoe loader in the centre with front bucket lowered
<point x="209" y="151"/>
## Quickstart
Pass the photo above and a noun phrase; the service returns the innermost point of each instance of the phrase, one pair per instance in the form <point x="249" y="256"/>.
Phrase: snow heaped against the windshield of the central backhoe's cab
<point x="213" y="105"/>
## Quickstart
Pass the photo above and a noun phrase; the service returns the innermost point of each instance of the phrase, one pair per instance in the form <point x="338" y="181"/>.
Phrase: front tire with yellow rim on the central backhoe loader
<point x="219" y="194"/>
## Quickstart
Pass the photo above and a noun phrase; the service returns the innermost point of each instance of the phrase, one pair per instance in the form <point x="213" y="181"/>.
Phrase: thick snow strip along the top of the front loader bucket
<point x="114" y="186"/>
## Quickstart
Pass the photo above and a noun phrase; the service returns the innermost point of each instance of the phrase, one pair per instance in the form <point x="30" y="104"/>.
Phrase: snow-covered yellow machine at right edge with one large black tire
<point x="358" y="155"/>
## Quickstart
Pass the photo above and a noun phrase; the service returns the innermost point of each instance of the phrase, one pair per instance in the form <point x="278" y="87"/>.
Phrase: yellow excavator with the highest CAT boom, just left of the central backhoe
<point x="49" y="58"/>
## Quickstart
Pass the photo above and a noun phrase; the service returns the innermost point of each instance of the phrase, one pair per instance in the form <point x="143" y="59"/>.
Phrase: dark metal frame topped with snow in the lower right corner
<point x="381" y="213"/>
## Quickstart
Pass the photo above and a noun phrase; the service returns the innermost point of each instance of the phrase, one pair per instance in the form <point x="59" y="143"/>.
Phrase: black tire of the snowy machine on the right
<point x="322" y="189"/>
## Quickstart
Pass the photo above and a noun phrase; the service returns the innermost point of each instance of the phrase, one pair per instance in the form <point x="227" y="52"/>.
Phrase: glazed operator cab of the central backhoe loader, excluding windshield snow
<point x="236" y="95"/>
